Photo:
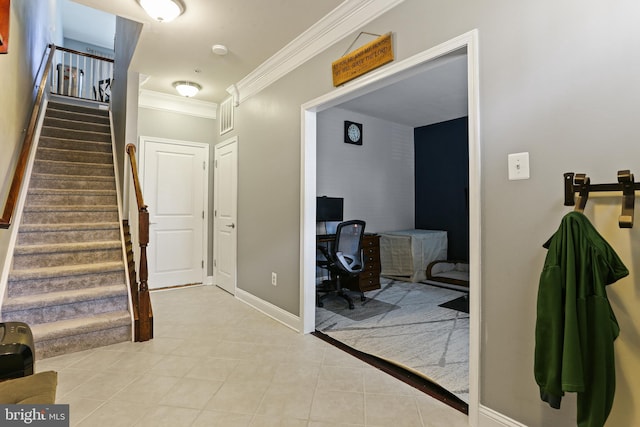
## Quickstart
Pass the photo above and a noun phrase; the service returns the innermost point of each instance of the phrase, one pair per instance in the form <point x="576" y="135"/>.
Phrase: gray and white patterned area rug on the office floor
<point x="414" y="332"/>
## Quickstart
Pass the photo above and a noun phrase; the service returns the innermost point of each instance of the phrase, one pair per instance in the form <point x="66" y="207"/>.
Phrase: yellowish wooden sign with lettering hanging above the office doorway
<point x="362" y="60"/>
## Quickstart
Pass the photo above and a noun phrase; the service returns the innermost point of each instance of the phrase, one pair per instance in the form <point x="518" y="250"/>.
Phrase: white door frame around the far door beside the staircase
<point x="205" y="190"/>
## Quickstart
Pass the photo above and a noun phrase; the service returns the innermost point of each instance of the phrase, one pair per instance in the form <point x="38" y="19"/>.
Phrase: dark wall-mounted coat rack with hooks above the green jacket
<point x="581" y="184"/>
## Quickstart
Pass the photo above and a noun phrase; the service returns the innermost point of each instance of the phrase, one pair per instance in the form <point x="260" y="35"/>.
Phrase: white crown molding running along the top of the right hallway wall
<point x="337" y="24"/>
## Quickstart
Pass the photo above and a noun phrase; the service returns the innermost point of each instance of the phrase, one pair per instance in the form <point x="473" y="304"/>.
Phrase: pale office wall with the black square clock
<point x="376" y="179"/>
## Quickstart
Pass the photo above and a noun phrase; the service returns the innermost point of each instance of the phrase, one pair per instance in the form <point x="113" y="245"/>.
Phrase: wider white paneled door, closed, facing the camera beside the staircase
<point x="174" y="181"/>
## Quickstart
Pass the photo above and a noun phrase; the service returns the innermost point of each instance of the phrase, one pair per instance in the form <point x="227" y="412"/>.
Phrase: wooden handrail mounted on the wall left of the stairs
<point x="27" y="143"/>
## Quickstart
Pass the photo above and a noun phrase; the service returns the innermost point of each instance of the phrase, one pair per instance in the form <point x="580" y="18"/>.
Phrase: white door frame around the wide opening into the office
<point x="366" y="84"/>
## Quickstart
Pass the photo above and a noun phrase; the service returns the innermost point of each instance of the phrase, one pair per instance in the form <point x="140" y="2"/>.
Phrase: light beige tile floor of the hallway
<point x="215" y="361"/>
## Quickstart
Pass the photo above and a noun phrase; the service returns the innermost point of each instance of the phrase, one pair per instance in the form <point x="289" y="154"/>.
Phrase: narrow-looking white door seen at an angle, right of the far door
<point x="225" y="194"/>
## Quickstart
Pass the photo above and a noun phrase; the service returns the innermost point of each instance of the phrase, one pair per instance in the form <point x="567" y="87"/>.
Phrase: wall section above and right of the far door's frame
<point x="170" y="125"/>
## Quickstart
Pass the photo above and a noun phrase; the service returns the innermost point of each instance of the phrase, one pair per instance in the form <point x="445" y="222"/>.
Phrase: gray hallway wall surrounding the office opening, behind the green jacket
<point x="557" y="79"/>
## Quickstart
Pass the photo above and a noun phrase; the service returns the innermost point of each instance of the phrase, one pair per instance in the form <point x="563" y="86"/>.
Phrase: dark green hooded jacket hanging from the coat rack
<point x="576" y="326"/>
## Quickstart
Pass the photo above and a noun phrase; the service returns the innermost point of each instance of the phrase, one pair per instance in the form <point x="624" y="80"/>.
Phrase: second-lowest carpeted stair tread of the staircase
<point x="62" y="297"/>
